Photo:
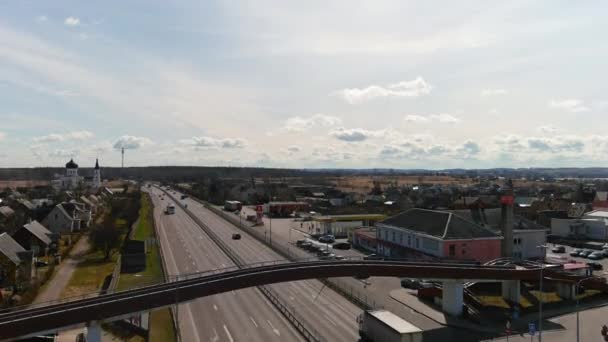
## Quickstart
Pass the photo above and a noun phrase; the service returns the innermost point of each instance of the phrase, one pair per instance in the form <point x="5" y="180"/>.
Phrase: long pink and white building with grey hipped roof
<point x="417" y="233"/>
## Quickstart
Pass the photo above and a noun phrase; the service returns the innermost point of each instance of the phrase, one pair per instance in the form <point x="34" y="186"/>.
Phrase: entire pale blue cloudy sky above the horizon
<point x="304" y="84"/>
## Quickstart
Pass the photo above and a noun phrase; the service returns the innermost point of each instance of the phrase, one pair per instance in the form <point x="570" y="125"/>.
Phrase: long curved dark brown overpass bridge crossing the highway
<point x="52" y="317"/>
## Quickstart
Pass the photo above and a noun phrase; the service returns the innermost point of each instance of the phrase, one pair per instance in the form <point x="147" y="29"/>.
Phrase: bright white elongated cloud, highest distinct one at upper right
<point x="414" y="88"/>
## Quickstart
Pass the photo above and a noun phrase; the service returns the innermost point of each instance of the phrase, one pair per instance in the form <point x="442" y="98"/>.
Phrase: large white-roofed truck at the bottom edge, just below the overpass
<point x="385" y="326"/>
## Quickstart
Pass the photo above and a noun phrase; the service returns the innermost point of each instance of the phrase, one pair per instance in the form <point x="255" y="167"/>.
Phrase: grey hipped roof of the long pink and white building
<point x="442" y="224"/>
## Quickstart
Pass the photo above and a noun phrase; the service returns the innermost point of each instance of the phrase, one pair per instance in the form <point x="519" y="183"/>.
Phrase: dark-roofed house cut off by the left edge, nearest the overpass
<point x="15" y="262"/>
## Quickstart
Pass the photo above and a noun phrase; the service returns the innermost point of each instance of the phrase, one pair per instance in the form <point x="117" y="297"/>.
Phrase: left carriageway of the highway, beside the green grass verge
<point x="243" y="315"/>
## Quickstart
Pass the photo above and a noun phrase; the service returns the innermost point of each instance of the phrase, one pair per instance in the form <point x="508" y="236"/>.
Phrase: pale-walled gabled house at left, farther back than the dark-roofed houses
<point x="67" y="217"/>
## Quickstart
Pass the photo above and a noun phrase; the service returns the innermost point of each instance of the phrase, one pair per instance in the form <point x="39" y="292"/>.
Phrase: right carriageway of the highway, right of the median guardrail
<point x="320" y="308"/>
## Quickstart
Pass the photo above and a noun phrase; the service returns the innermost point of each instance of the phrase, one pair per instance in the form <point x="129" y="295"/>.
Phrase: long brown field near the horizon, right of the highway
<point x="363" y="184"/>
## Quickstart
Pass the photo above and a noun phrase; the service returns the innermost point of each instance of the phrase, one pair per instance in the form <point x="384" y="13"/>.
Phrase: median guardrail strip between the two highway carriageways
<point x="308" y="333"/>
